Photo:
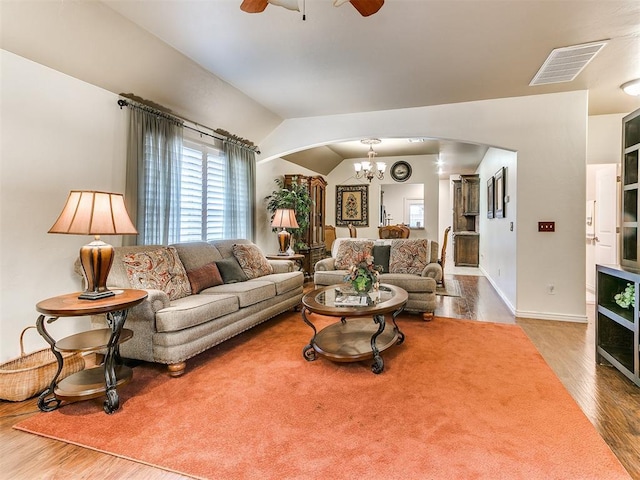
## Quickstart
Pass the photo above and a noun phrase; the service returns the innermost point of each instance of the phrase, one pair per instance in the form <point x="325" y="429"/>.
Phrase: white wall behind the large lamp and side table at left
<point x="58" y="134"/>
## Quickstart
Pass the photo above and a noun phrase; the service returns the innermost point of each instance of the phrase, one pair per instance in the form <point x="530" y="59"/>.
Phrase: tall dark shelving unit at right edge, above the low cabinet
<point x="630" y="206"/>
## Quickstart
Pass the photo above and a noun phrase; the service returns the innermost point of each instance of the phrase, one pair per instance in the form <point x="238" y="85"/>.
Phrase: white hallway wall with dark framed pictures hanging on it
<point x="498" y="246"/>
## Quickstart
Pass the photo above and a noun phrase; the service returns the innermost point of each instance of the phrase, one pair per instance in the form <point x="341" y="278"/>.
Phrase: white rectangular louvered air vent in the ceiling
<point x="565" y="64"/>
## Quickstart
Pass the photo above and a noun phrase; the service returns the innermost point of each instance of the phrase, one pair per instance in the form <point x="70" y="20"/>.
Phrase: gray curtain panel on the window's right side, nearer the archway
<point x="240" y="193"/>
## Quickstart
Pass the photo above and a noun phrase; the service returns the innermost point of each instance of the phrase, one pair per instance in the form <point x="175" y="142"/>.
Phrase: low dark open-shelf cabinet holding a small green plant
<point x="617" y="333"/>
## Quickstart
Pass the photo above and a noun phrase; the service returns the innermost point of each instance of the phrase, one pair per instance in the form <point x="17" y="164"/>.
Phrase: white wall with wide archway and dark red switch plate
<point x="549" y="134"/>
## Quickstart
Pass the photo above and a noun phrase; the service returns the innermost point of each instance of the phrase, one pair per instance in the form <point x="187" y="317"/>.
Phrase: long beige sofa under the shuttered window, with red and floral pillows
<point x="175" y="323"/>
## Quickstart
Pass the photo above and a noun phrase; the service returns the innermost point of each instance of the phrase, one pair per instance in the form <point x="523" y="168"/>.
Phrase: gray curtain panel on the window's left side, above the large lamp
<point x="153" y="175"/>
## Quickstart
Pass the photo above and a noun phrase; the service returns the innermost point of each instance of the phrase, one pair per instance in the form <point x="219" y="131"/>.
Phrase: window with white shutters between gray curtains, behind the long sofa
<point x="202" y="192"/>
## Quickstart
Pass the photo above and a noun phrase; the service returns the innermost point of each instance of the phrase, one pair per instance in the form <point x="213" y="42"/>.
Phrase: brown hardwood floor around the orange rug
<point x="608" y="399"/>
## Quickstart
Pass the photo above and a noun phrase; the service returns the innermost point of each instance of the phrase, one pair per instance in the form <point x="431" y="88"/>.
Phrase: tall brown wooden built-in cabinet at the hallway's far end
<point x="466" y="208"/>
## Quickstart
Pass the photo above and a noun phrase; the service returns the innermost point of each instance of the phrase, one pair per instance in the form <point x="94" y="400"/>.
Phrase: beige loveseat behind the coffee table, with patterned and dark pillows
<point x="411" y="264"/>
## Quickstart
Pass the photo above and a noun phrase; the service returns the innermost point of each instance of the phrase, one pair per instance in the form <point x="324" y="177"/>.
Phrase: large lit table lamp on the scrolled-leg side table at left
<point x="95" y="213"/>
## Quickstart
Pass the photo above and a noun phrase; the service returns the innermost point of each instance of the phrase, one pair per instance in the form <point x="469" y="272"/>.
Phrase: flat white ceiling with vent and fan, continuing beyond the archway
<point x="411" y="53"/>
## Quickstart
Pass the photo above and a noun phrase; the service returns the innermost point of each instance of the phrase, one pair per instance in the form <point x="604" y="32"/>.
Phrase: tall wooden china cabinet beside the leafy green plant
<point x="314" y="234"/>
